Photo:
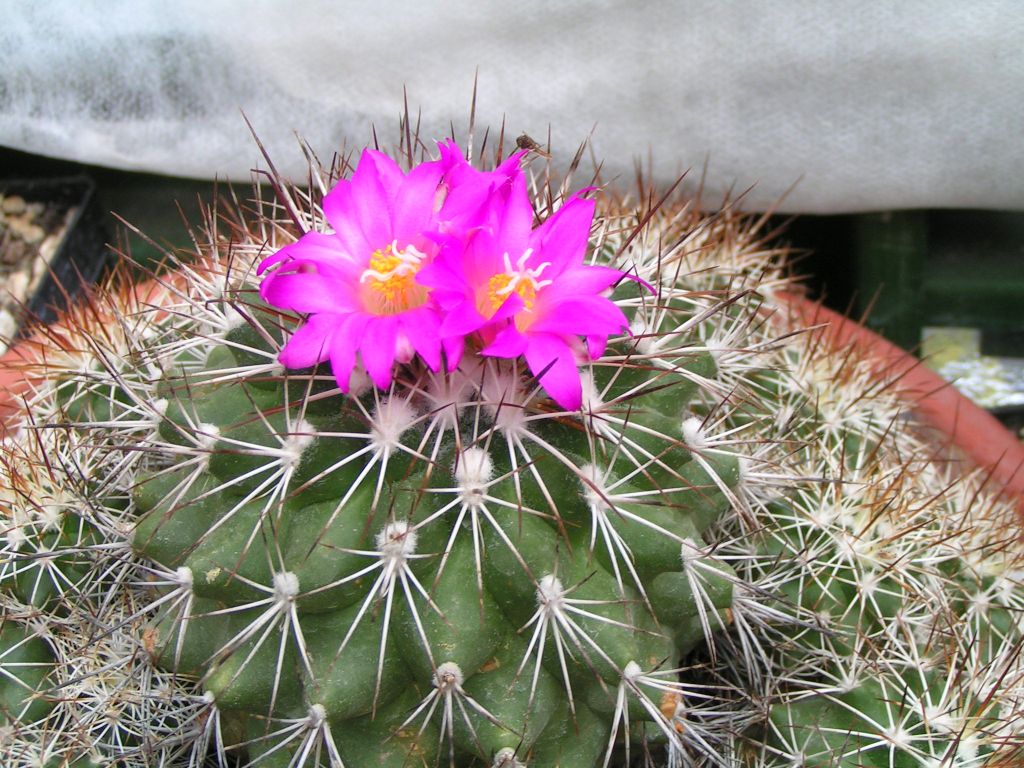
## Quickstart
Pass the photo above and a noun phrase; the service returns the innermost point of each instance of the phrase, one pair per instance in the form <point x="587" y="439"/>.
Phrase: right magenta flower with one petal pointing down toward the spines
<point x="527" y="292"/>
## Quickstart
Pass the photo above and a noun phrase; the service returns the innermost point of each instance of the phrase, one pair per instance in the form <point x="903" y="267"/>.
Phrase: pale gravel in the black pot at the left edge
<point x="31" y="233"/>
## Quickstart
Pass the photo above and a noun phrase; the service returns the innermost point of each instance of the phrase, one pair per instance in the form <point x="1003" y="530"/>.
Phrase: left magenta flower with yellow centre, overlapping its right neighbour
<point x="359" y="284"/>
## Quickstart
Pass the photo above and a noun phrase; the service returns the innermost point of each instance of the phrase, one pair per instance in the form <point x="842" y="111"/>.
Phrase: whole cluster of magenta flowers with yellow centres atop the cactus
<point x="417" y="263"/>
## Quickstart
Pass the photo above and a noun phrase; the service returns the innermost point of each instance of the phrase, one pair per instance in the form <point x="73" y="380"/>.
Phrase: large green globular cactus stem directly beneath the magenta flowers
<point x="349" y="551"/>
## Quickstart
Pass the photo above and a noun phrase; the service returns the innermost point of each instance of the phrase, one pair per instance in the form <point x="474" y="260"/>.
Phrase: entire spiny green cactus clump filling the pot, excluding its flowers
<point x="733" y="551"/>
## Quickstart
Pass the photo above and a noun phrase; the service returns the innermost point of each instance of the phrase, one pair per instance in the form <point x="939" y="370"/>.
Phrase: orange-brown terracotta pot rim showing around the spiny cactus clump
<point x="968" y="430"/>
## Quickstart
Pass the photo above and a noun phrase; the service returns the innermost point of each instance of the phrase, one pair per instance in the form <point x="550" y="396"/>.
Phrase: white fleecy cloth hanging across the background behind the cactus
<point x="865" y="106"/>
